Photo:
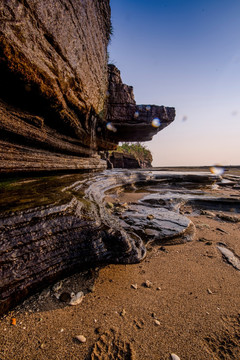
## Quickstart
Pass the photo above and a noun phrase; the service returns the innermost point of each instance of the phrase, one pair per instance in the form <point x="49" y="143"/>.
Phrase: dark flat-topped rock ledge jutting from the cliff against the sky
<point x="131" y="122"/>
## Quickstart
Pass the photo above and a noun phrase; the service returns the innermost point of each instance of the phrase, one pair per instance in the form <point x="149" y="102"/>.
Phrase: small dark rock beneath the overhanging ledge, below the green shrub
<point x="122" y="160"/>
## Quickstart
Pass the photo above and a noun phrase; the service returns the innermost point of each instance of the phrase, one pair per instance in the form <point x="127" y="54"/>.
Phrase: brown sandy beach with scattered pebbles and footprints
<point x="192" y="308"/>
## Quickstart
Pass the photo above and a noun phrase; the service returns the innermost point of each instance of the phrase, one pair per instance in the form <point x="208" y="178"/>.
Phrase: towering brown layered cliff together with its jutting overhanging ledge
<point x="59" y="103"/>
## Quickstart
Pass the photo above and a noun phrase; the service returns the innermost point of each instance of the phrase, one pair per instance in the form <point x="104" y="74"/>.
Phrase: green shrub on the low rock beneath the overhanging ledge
<point x="139" y="150"/>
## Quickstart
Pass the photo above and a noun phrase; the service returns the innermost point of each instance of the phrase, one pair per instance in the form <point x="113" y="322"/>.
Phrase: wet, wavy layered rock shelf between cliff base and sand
<point x="65" y="223"/>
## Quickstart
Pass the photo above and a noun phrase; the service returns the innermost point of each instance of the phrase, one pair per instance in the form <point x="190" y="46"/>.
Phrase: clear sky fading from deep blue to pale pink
<point x="184" y="54"/>
